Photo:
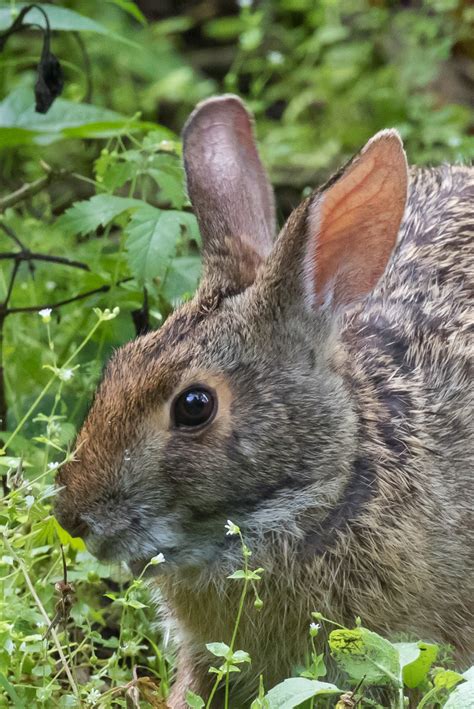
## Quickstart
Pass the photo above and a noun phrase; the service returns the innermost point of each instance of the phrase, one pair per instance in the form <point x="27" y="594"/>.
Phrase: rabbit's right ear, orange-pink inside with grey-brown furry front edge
<point x="336" y="245"/>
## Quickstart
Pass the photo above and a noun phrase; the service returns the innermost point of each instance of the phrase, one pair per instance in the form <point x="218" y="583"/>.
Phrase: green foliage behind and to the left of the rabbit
<point x="106" y="191"/>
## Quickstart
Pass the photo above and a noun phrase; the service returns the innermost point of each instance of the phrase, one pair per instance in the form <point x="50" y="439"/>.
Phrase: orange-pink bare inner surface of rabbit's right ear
<point x="354" y="225"/>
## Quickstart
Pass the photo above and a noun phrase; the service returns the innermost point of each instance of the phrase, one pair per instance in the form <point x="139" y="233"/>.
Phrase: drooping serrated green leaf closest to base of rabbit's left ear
<point x="152" y="236"/>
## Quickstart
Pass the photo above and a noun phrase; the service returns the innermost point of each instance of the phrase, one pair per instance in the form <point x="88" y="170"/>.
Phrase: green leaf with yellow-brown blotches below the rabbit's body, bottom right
<point x="364" y="654"/>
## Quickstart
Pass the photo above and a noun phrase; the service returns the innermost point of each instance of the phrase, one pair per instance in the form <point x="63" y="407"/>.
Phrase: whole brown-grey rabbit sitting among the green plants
<point x="316" y="392"/>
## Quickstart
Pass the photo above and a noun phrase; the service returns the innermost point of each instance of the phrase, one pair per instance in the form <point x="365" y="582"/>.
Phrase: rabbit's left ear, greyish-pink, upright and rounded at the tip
<point x="229" y="190"/>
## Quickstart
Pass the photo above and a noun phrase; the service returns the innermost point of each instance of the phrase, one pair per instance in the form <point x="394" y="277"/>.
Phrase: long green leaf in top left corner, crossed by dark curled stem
<point x="60" y="18"/>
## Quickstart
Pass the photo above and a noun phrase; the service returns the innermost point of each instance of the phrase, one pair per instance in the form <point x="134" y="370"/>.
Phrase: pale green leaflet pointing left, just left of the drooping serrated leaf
<point x="84" y="217"/>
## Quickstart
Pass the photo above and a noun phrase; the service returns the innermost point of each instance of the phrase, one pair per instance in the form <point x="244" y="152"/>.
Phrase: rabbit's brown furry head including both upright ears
<point x="238" y="406"/>
